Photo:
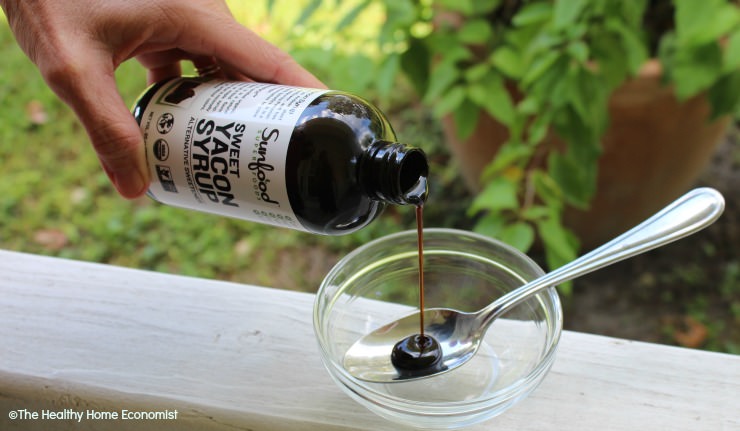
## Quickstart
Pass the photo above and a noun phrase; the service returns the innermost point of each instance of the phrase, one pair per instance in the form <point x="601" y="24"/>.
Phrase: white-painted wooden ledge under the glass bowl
<point x="82" y="337"/>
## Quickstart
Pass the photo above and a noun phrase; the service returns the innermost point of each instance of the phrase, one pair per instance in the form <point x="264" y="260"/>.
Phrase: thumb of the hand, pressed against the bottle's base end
<point x="114" y="133"/>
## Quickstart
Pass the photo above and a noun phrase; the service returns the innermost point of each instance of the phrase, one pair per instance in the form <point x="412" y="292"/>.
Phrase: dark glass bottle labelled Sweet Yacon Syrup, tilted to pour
<point x="321" y="161"/>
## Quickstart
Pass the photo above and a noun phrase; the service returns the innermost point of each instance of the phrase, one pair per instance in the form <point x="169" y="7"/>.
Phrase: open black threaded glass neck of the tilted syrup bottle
<point x="394" y="173"/>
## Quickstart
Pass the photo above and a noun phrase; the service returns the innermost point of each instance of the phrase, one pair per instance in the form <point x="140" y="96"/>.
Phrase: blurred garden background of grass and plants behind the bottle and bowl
<point x="437" y="68"/>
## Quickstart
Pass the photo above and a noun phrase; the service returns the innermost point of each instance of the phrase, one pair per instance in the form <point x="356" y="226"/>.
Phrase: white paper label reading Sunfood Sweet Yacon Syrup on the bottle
<point x="220" y="147"/>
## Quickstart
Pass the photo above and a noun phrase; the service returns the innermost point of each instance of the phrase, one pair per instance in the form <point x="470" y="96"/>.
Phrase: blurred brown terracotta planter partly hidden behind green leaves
<point x="654" y="150"/>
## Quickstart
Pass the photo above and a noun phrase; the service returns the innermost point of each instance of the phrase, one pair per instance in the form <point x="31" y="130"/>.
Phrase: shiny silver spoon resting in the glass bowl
<point x="459" y="334"/>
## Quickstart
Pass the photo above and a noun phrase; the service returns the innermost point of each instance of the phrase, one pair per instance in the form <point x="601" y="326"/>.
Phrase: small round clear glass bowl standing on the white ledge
<point x="378" y="283"/>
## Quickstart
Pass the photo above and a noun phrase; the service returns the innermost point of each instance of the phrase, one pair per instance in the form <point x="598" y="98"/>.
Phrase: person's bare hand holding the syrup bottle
<point x="78" y="44"/>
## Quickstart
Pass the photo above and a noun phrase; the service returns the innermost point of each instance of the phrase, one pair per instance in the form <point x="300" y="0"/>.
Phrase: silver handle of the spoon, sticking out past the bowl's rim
<point x="688" y="214"/>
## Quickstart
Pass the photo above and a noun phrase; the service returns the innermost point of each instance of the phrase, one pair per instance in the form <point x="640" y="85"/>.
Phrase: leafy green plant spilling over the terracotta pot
<point x="539" y="66"/>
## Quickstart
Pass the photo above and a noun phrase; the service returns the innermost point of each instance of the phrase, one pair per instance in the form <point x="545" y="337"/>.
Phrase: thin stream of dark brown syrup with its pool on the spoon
<point x="418" y="353"/>
